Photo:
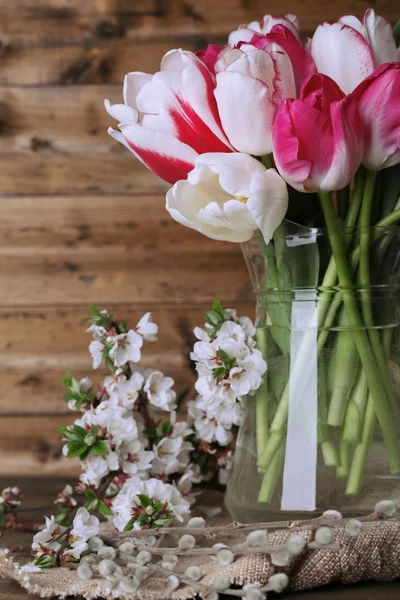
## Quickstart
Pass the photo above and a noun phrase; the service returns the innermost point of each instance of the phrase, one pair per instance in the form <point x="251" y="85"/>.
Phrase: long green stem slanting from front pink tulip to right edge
<point x="361" y="340"/>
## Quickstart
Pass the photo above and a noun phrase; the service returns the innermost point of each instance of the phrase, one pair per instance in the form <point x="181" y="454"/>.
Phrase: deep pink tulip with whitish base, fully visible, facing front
<point x="318" y="139"/>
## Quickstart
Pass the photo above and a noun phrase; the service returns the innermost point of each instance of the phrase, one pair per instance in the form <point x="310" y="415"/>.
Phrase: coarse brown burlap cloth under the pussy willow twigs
<point x="373" y="555"/>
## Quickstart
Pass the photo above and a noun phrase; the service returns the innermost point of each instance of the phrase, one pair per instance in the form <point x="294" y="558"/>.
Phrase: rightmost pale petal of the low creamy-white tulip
<point x="268" y="202"/>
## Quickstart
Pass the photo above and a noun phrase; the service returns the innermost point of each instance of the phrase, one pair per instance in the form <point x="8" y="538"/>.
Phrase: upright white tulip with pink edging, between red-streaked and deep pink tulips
<point x="251" y="83"/>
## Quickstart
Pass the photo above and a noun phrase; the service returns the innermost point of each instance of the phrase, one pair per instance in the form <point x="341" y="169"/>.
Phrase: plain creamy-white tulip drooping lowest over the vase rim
<point x="228" y="197"/>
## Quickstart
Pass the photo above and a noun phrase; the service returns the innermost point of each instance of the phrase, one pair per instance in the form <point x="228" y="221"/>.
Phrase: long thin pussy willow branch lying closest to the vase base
<point x="235" y="526"/>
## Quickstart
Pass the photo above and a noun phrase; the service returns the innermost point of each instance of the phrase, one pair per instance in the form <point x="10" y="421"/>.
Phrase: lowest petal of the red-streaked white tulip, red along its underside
<point x="166" y="156"/>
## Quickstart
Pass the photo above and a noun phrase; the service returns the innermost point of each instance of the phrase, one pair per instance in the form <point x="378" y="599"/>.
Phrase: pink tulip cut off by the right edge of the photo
<point x="378" y="99"/>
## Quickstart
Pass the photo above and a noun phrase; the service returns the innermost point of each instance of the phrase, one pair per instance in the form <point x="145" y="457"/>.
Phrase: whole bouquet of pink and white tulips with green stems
<point x="272" y="130"/>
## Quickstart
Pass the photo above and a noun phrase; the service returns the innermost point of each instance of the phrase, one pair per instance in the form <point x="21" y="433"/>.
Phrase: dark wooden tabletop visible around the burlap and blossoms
<point x="41" y="492"/>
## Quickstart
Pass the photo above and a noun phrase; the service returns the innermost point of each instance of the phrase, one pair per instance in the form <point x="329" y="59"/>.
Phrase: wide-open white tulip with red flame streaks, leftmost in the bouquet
<point x="169" y="118"/>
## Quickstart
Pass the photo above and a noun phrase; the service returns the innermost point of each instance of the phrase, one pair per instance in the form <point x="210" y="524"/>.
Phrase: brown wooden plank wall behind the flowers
<point x="80" y="220"/>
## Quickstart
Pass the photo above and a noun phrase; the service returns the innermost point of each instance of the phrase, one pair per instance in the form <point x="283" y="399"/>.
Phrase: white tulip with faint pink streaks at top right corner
<point x="350" y="50"/>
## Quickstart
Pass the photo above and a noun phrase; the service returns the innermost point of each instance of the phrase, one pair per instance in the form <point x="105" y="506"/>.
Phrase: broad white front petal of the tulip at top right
<point x="342" y="53"/>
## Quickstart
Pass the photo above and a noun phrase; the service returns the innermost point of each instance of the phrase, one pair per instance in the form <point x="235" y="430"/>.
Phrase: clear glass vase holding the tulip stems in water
<point x="322" y="432"/>
